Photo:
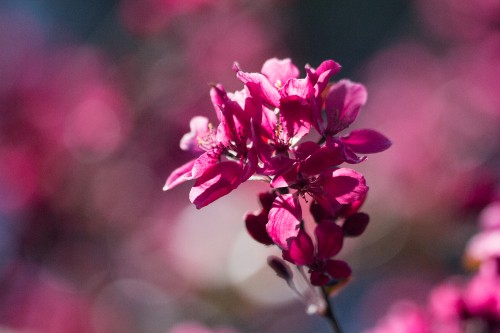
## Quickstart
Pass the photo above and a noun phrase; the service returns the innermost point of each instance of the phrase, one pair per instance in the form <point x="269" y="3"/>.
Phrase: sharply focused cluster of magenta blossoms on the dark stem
<point x="286" y="130"/>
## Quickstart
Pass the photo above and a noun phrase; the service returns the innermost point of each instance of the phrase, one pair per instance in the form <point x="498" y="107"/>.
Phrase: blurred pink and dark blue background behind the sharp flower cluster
<point x="95" y="96"/>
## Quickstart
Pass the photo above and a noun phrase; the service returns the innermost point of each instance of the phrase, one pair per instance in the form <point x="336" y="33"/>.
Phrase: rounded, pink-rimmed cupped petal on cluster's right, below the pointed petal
<point x="345" y="185"/>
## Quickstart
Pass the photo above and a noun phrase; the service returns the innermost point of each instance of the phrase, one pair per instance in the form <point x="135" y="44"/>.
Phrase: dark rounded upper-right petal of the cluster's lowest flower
<point x="329" y="238"/>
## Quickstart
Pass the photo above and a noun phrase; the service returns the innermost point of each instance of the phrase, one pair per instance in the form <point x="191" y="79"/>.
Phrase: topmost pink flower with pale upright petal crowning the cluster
<point x="285" y="107"/>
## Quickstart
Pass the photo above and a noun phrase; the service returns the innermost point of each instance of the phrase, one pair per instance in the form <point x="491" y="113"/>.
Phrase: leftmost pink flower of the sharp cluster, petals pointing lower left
<point x="216" y="177"/>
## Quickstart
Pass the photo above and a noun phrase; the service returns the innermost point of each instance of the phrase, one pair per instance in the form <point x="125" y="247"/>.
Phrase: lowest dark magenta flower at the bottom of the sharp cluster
<point x="323" y="269"/>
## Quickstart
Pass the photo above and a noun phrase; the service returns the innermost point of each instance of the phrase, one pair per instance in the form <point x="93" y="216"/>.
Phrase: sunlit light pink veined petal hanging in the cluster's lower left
<point x="284" y="219"/>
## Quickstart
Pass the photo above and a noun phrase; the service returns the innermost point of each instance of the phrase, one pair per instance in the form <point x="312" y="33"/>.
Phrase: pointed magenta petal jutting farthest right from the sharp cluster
<point x="366" y="141"/>
